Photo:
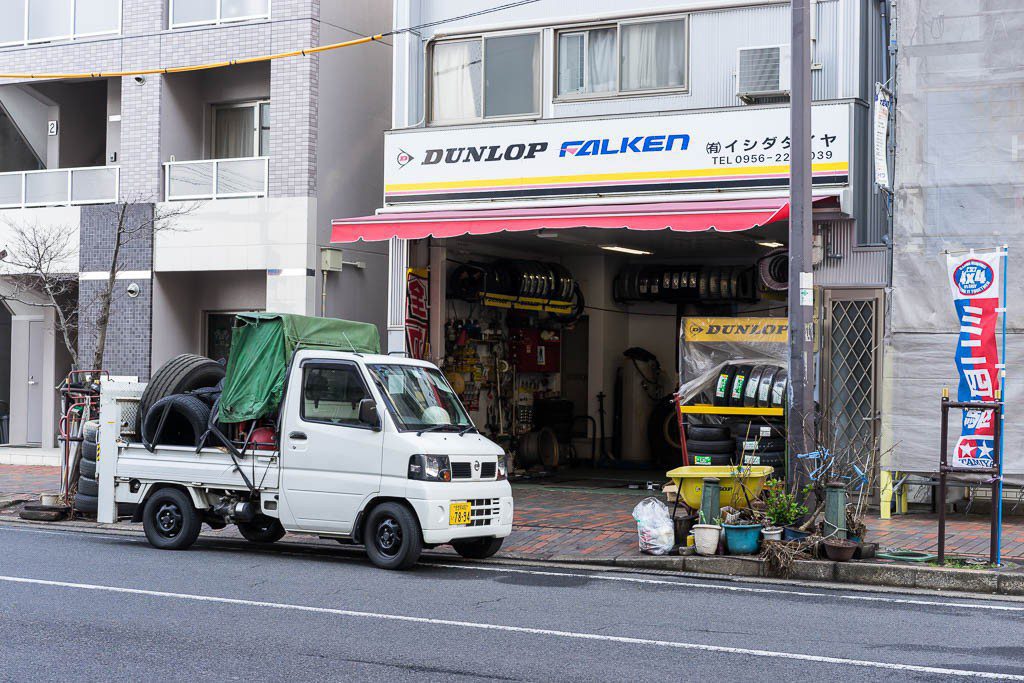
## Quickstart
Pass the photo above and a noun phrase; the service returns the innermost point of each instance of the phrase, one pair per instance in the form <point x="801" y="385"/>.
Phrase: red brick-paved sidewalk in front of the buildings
<point x="563" y="524"/>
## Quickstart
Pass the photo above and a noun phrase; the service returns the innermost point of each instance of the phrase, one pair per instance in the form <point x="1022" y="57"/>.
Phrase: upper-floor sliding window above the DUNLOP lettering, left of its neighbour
<point x="483" y="78"/>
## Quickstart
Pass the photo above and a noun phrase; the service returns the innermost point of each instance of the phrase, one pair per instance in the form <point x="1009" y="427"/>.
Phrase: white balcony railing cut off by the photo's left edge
<point x="61" y="187"/>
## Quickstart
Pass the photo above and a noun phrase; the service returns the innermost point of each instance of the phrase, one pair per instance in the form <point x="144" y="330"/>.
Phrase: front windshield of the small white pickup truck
<point x="420" y="398"/>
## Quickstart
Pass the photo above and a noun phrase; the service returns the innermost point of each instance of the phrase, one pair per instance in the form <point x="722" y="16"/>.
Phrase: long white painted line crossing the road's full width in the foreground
<point x="865" y="664"/>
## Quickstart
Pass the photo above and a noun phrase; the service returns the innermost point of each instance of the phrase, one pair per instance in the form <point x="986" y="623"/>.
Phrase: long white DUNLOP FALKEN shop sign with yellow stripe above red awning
<point x="743" y="149"/>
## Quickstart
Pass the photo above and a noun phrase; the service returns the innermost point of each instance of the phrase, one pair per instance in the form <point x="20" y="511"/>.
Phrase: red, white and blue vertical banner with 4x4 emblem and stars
<point x="974" y="280"/>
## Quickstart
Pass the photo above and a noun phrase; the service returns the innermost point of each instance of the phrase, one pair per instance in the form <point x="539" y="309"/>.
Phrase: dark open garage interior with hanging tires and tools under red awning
<point x="547" y="373"/>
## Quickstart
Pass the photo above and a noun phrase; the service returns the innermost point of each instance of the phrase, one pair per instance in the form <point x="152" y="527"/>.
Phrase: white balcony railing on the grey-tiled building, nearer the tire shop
<point x="217" y="179"/>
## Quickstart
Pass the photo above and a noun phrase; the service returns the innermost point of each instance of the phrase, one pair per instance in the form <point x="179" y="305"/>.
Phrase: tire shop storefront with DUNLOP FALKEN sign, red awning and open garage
<point x="548" y="269"/>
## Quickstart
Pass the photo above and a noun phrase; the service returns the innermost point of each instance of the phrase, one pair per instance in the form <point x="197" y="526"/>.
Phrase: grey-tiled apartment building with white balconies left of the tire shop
<point x="252" y="161"/>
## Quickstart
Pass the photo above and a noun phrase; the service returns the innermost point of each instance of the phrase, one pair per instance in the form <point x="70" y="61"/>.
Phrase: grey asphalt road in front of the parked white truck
<point x="105" y="607"/>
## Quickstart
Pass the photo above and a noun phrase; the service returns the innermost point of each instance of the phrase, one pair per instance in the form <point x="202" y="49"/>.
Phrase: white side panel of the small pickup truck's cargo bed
<point x="209" y="467"/>
